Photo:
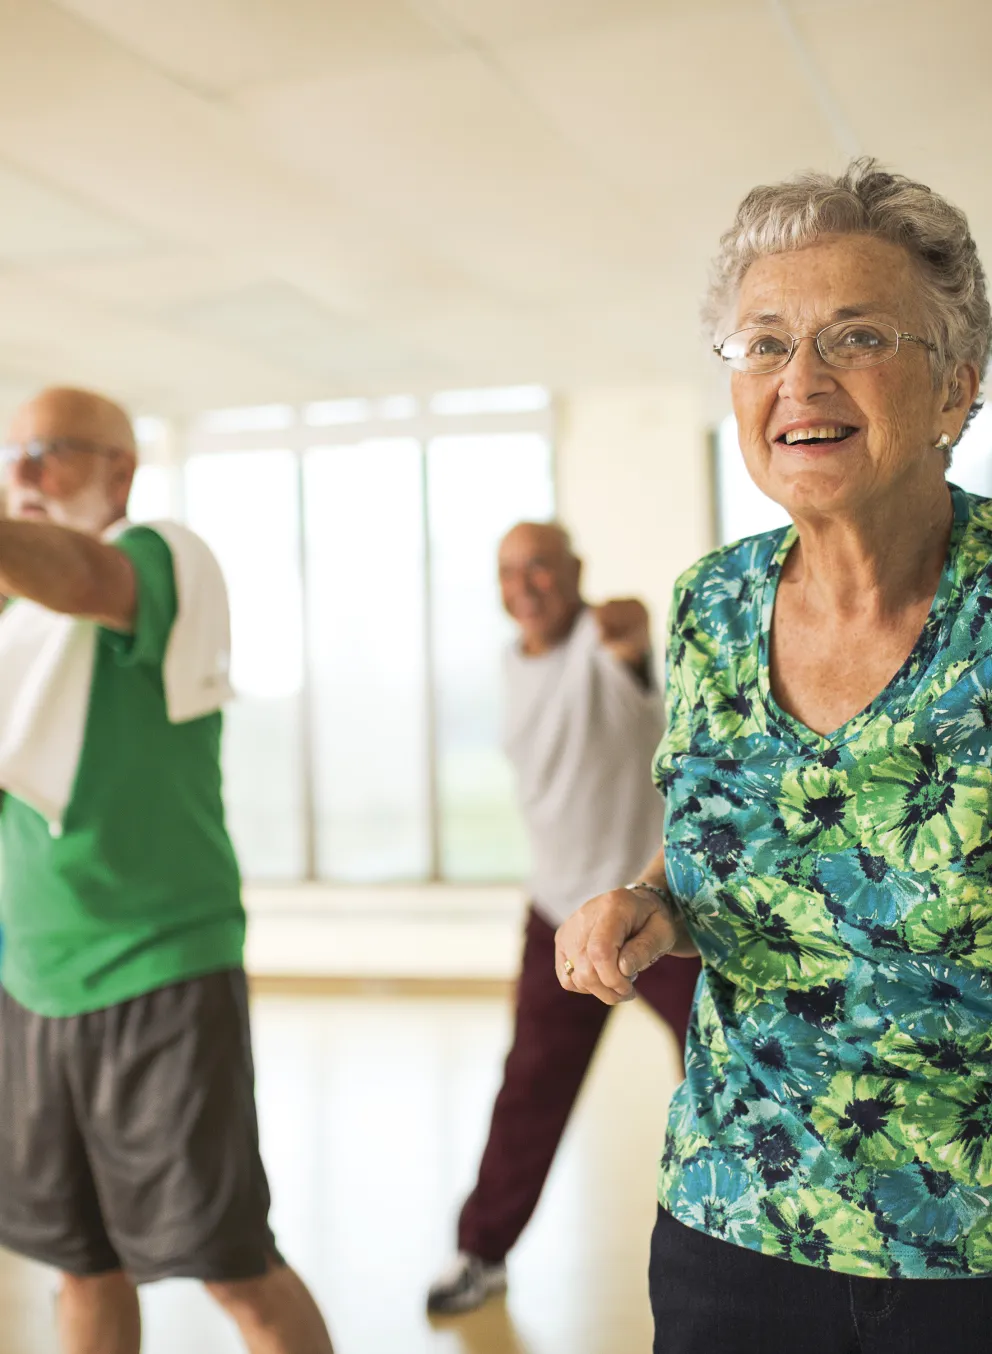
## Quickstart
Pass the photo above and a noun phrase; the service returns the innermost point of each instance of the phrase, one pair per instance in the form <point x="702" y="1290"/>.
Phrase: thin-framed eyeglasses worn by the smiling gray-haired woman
<point x="849" y="343"/>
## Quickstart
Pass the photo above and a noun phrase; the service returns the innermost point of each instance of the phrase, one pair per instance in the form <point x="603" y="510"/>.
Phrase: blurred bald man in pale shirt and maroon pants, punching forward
<point x="584" y="718"/>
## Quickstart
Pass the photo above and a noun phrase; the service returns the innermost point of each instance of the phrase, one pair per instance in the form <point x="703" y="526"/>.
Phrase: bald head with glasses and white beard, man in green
<point x="78" y="461"/>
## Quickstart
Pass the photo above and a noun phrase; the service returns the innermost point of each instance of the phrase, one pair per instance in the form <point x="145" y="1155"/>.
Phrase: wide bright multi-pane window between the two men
<point x="359" y="541"/>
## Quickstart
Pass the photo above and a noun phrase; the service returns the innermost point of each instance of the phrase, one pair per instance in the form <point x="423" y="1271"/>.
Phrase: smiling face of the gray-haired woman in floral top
<point x="886" y="419"/>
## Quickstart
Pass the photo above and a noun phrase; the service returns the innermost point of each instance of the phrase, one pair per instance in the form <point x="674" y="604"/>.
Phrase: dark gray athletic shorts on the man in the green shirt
<point x="129" y="1138"/>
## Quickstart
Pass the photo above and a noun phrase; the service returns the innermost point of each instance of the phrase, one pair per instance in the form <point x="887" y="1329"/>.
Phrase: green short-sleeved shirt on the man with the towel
<point x="143" y="888"/>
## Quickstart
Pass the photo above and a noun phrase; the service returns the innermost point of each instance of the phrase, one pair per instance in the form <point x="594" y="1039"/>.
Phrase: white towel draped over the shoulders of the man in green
<point x="47" y="674"/>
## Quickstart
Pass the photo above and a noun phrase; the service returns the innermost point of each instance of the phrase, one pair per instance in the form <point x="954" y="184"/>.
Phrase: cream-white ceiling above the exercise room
<point x="213" y="202"/>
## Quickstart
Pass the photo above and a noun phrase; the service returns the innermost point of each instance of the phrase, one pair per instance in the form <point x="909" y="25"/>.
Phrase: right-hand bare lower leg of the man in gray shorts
<point x="275" y="1314"/>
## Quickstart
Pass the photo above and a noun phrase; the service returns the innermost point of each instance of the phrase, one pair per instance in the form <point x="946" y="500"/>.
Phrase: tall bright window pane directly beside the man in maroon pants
<point x="478" y="488"/>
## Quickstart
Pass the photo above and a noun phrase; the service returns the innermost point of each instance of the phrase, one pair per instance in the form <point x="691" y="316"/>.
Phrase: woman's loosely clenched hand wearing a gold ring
<point x="616" y="936"/>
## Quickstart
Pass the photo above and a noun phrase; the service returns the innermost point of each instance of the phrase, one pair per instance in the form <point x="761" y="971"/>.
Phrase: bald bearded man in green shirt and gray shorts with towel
<point x="129" y="1146"/>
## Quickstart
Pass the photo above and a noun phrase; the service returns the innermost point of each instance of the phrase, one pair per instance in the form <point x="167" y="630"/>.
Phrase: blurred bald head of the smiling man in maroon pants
<point x="539" y="579"/>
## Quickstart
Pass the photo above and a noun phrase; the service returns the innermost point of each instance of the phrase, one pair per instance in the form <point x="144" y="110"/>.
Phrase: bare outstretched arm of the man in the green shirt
<point x="68" y="572"/>
